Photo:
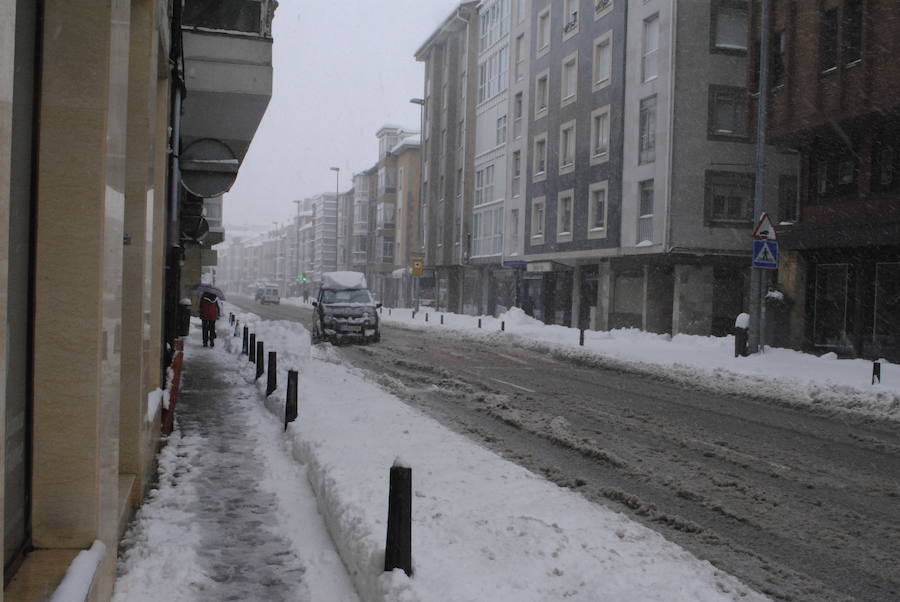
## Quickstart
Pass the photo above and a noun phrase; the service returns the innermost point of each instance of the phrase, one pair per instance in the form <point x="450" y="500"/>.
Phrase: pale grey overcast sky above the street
<point x="343" y="68"/>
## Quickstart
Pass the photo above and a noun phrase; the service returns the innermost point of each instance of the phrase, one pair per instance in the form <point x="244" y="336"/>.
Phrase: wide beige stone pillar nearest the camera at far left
<point x="78" y="273"/>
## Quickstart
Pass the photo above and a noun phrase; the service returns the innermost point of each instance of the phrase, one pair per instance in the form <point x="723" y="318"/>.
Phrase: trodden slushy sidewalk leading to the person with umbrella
<point x="233" y="517"/>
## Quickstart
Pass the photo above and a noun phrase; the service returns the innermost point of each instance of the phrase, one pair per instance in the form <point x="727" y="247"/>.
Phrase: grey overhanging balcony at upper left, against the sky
<point x="227" y="70"/>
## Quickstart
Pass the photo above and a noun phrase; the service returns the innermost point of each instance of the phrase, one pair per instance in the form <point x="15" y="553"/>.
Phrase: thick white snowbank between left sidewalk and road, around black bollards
<point x="483" y="528"/>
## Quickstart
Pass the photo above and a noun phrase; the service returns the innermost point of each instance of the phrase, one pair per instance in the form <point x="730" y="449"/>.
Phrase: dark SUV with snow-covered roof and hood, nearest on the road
<point x="345" y="310"/>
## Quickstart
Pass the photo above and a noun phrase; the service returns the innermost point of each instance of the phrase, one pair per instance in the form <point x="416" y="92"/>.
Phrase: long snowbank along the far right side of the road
<point x="783" y="375"/>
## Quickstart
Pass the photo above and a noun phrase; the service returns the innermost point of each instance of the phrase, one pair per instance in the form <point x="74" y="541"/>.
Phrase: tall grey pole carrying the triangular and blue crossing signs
<point x="756" y="339"/>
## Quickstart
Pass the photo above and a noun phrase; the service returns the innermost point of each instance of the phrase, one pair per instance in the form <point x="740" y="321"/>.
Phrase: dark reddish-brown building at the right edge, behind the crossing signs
<point x="834" y="99"/>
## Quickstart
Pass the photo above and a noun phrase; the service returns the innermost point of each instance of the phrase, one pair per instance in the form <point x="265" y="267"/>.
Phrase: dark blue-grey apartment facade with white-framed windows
<point x="575" y="160"/>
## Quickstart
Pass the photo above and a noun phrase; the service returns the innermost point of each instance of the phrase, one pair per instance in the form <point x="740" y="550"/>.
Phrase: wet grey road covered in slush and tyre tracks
<point x="801" y="506"/>
